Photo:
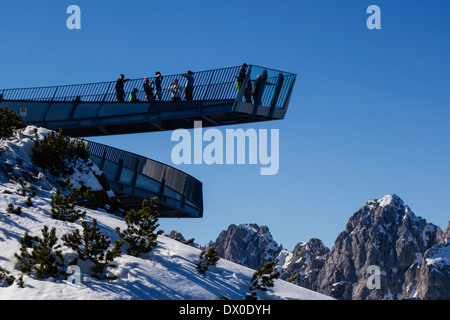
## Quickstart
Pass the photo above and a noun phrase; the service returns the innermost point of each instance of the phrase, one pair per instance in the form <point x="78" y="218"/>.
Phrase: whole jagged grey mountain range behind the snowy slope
<point x="413" y="256"/>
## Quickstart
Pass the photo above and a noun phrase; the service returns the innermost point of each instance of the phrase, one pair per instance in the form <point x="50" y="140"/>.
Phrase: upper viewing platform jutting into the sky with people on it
<point x="226" y="96"/>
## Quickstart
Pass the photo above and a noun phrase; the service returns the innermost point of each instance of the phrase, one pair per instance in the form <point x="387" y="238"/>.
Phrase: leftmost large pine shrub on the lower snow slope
<point x="45" y="258"/>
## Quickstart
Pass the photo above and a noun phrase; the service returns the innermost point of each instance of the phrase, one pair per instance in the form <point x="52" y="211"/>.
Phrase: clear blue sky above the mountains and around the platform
<point x="368" y="116"/>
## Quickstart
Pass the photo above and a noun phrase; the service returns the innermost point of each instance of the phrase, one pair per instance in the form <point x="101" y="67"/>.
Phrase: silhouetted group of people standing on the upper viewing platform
<point x="153" y="90"/>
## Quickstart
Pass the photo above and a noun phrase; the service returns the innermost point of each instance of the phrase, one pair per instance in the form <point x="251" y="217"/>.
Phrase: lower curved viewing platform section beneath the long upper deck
<point x="134" y="178"/>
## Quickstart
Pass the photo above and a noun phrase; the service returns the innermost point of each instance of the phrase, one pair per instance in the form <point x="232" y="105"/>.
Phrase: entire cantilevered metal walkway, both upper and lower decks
<point x="87" y="110"/>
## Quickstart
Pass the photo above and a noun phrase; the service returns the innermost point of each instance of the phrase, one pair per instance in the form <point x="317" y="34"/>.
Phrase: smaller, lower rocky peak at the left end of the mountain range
<point x="247" y="244"/>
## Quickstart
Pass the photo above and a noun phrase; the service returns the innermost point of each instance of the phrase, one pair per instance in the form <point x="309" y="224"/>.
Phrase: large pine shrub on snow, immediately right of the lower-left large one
<point x="93" y="245"/>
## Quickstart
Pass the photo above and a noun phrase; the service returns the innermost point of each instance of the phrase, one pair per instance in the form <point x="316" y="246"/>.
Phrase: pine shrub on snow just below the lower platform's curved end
<point x="140" y="233"/>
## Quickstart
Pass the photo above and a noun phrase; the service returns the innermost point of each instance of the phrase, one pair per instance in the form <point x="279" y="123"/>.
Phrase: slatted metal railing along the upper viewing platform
<point x="216" y="84"/>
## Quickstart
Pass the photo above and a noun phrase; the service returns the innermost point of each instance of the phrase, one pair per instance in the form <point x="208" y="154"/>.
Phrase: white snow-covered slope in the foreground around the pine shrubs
<point x="167" y="273"/>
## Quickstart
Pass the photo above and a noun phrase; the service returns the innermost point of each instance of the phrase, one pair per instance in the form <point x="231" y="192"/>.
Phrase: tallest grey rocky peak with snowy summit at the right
<point x="386" y="234"/>
